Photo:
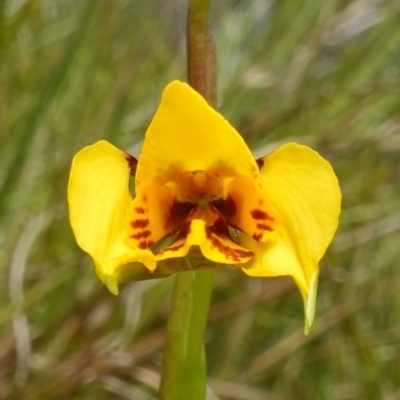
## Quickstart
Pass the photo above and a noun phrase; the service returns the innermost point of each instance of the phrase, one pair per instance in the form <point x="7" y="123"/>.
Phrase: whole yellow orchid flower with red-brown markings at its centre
<point x="197" y="183"/>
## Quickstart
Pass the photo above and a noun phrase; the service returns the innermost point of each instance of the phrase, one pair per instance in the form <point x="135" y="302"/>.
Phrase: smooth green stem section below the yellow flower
<point x="184" y="367"/>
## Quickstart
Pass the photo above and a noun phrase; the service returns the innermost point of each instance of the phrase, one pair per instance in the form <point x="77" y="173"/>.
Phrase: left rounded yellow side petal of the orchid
<point x="99" y="200"/>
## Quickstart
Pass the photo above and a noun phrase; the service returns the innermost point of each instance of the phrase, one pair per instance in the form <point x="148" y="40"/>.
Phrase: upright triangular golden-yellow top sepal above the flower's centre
<point x="186" y="135"/>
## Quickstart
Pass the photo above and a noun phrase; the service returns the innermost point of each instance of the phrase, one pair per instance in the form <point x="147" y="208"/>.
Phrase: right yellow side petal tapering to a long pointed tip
<point x="303" y="188"/>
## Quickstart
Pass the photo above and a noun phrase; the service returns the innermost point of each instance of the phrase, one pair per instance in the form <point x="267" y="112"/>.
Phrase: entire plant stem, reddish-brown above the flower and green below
<point x="184" y="372"/>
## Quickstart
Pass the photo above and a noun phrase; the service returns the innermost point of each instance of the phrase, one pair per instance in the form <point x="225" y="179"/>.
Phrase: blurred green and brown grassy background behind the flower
<point x="322" y="73"/>
